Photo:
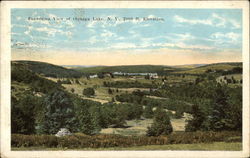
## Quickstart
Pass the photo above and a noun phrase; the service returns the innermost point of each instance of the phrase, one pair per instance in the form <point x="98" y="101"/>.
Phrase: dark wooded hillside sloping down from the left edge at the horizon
<point x="49" y="70"/>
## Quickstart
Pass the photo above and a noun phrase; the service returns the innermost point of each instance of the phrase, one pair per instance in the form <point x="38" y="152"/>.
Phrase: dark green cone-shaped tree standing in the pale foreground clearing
<point x="161" y="124"/>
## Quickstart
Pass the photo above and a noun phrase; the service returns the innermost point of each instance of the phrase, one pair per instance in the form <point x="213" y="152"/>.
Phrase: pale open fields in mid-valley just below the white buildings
<point x="101" y="92"/>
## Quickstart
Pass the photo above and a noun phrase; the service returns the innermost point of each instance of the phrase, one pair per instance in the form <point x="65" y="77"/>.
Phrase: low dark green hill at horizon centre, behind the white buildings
<point x="130" y="69"/>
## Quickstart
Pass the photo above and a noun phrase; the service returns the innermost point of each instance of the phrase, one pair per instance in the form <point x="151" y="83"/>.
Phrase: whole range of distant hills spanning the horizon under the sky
<point x="50" y="70"/>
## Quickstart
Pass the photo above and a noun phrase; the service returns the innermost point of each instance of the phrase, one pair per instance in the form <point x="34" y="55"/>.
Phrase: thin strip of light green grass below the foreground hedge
<point x="216" y="146"/>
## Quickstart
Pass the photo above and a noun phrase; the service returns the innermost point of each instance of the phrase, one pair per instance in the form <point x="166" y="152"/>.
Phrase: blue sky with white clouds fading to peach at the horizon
<point x="127" y="36"/>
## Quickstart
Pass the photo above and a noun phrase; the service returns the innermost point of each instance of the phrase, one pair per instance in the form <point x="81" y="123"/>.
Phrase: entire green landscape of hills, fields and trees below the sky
<point x="128" y="101"/>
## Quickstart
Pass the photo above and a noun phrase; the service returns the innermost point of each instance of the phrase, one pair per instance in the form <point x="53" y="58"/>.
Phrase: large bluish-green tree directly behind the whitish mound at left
<point x="59" y="113"/>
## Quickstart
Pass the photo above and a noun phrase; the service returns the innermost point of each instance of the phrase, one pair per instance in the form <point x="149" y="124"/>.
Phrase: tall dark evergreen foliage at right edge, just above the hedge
<point x="227" y="109"/>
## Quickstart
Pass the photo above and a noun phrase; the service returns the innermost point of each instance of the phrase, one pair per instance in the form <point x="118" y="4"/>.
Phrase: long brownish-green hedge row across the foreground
<point x="79" y="140"/>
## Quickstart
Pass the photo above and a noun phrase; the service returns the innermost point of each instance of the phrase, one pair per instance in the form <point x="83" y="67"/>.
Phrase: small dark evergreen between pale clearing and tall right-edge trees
<point x="197" y="121"/>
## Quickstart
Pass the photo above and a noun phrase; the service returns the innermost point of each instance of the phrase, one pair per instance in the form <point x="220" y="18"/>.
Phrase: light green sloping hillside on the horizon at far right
<point x="212" y="67"/>
